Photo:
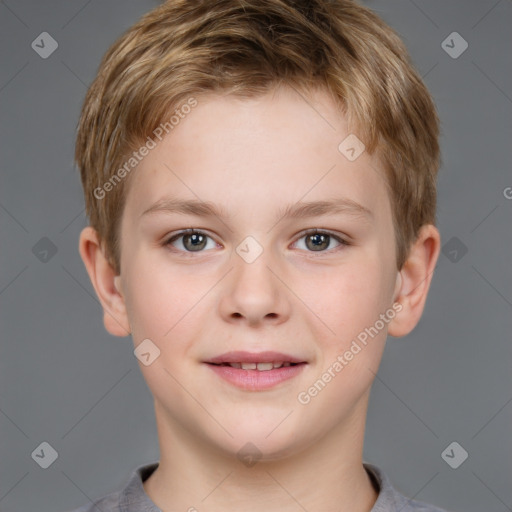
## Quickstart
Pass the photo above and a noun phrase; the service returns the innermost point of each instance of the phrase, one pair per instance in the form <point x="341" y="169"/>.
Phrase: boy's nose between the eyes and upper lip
<point x="254" y="294"/>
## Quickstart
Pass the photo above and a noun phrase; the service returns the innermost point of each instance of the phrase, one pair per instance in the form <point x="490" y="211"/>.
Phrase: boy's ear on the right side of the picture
<point x="413" y="281"/>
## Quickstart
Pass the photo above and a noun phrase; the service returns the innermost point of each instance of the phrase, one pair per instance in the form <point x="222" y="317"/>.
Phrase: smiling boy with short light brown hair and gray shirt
<point x="260" y="181"/>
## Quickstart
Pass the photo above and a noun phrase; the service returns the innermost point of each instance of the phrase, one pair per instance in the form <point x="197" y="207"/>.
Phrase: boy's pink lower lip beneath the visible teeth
<point x="256" y="380"/>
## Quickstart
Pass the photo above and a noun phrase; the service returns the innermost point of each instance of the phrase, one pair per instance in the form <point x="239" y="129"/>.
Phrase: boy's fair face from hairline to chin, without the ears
<point x="252" y="159"/>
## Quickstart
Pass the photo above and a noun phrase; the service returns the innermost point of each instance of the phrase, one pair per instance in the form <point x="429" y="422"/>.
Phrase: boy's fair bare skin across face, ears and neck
<point x="252" y="158"/>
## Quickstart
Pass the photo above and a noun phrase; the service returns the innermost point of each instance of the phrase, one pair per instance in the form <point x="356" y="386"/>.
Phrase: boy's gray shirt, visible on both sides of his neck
<point x="134" y="499"/>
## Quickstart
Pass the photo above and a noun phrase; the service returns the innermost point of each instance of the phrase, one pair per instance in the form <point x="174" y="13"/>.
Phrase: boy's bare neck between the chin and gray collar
<point x="328" y="475"/>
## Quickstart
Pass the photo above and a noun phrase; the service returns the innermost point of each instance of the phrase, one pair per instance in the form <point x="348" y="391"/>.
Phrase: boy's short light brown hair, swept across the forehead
<point x="184" y="48"/>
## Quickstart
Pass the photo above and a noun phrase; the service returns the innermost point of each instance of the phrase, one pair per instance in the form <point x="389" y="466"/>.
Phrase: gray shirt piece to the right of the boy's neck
<point x="391" y="500"/>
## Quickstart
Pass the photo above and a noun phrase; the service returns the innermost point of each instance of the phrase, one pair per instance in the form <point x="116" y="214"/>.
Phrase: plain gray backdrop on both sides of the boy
<point x="65" y="381"/>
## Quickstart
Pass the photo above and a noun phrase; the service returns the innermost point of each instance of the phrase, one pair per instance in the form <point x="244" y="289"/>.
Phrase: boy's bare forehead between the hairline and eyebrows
<point x="257" y="154"/>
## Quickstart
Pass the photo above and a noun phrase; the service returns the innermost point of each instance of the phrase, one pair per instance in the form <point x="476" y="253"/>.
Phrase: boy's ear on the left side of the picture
<point x="105" y="283"/>
